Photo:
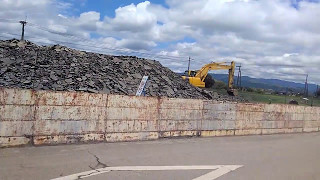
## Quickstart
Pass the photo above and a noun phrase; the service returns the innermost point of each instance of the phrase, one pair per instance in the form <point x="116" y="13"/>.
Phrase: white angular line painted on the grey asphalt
<point x="219" y="170"/>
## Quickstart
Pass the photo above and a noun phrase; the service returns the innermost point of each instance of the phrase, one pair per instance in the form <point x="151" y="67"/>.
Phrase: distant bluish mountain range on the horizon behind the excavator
<point x="274" y="84"/>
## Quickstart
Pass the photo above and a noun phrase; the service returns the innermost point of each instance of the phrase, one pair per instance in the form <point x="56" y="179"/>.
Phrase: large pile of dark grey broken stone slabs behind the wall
<point x="27" y="65"/>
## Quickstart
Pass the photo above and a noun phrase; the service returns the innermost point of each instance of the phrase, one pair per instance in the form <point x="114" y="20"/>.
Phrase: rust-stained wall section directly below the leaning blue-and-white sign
<point x="129" y="115"/>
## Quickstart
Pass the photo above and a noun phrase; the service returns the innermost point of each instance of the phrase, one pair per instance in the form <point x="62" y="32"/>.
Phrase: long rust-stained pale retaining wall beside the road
<point x="46" y="117"/>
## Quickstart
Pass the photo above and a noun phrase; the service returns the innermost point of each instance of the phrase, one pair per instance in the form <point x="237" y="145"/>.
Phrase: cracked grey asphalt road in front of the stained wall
<point x="284" y="157"/>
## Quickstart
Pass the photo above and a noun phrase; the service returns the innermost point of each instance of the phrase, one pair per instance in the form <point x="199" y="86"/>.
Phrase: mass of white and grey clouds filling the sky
<point x="271" y="39"/>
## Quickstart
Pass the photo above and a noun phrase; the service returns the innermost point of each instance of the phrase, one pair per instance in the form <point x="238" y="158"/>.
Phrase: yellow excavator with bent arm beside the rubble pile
<point x="202" y="79"/>
